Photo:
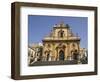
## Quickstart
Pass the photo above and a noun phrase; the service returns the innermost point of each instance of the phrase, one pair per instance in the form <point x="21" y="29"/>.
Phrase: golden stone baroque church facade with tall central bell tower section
<point x="61" y="44"/>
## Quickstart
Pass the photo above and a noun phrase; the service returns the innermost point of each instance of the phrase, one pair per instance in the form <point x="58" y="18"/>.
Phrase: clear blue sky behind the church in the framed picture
<point x="39" y="26"/>
